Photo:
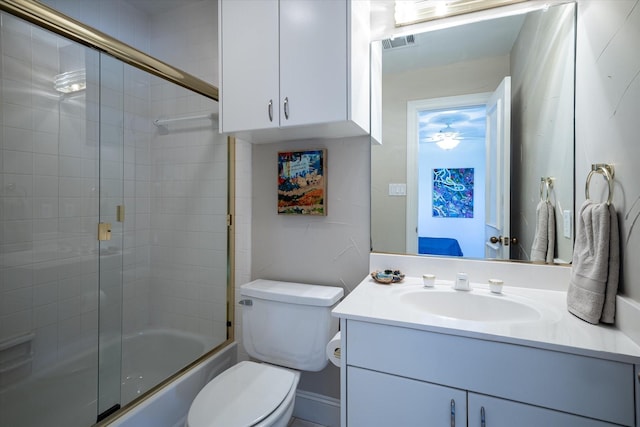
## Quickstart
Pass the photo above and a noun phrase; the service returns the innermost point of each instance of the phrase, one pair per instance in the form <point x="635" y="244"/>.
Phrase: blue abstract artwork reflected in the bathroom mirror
<point x="453" y="193"/>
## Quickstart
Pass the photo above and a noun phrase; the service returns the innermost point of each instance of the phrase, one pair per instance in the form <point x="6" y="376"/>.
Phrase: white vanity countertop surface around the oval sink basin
<point x="558" y="330"/>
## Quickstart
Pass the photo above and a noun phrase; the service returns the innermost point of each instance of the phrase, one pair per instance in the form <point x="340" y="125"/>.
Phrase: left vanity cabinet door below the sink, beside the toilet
<point x="377" y="399"/>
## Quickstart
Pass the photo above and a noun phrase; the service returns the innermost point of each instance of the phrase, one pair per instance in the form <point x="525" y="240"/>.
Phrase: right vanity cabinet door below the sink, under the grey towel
<point x="486" y="411"/>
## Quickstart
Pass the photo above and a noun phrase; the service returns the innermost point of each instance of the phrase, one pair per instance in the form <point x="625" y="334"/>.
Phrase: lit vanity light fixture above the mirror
<point x="409" y="12"/>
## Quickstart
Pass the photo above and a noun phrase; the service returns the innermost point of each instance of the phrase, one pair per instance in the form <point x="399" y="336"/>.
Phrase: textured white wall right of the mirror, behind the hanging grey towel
<point x="607" y="113"/>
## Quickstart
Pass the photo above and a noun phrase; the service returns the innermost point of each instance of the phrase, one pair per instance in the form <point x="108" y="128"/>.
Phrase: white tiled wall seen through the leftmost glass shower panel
<point x="48" y="182"/>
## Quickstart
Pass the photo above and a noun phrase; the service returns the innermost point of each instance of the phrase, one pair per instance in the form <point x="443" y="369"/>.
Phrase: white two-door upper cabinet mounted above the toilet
<point x="294" y="68"/>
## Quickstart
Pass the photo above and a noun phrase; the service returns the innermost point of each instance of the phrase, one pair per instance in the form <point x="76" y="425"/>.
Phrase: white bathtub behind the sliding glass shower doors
<point x="65" y="394"/>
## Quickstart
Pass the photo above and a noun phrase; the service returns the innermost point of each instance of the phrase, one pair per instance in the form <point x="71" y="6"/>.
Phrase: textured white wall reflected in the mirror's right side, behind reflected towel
<point x="542" y="96"/>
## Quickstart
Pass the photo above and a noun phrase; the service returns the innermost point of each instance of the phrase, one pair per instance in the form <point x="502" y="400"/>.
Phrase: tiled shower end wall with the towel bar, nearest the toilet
<point x="189" y="174"/>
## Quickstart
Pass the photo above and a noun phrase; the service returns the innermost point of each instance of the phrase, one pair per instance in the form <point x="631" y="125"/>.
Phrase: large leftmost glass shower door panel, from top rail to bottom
<point x="48" y="218"/>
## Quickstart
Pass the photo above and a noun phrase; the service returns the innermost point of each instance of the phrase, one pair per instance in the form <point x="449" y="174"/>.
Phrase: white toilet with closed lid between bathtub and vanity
<point x="286" y="326"/>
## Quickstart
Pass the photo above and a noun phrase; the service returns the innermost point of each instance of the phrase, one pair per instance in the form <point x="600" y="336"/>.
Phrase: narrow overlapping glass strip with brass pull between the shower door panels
<point x="110" y="232"/>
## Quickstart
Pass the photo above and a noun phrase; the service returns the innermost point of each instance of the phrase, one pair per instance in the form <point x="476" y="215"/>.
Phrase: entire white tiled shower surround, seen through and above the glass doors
<point x="50" y="188"/>
